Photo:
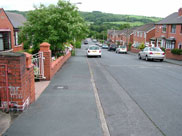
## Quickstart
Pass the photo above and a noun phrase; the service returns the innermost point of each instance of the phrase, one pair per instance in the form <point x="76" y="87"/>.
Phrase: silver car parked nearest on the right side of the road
<point x="151" y="53"/>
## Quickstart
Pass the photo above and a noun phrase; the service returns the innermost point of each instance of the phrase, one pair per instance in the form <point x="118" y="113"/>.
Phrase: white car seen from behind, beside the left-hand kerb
<point x="94" y="50"/>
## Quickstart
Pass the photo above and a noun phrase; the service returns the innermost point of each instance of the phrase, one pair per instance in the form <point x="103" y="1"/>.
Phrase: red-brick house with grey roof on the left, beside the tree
<point x="9" y="28"/>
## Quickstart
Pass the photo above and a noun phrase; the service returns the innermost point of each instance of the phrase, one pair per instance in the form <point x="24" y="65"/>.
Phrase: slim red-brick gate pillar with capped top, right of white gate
<point x="45" y="48"/>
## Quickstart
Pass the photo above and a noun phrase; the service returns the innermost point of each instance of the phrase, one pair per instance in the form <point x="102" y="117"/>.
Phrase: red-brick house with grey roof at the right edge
<point x="168" y="32"/>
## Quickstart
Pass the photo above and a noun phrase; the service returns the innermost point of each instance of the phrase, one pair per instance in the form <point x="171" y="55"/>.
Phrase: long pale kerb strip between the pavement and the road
<point x="98" y="103"/>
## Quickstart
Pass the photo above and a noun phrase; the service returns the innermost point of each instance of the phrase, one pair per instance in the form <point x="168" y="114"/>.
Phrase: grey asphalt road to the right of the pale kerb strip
<point x="139" y="98"/>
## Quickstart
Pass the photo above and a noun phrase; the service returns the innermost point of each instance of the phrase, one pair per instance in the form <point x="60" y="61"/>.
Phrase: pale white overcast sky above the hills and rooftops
<point x="158" y="8"/>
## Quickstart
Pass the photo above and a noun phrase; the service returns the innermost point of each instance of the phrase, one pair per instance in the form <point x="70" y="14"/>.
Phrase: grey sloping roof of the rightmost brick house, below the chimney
<point x="171" y="19"/>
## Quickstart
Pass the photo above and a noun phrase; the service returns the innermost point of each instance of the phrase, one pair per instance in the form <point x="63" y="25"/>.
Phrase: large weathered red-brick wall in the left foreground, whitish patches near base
<point x="21" y="86"/>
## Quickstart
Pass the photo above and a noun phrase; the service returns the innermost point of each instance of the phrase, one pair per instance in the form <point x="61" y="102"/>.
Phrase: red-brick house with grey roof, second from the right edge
<point x="143" y="34"/>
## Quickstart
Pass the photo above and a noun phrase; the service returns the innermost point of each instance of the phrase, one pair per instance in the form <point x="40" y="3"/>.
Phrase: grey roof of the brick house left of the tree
<point x="17" y="20"/>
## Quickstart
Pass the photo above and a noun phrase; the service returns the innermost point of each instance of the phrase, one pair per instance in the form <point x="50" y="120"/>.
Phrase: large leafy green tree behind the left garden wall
<point x="55" y="24"/>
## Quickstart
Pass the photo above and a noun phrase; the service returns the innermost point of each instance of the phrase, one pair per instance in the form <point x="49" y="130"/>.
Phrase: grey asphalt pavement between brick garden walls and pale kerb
<point x="67" y="106"/>
